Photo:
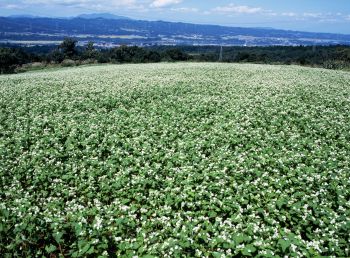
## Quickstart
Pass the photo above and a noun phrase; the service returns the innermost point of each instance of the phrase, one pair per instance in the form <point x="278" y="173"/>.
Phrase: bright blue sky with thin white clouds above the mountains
<point x="305" y="15"/>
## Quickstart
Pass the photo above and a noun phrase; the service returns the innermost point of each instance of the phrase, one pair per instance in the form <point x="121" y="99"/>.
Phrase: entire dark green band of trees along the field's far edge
<point x="19" y="59"/>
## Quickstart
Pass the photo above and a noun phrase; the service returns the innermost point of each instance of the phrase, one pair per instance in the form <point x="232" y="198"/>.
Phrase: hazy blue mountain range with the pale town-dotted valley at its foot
<point x="109" y="30"/>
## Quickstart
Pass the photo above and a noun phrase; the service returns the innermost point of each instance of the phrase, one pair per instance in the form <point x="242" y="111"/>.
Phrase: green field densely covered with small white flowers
<point x="175" y="160"/>
